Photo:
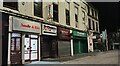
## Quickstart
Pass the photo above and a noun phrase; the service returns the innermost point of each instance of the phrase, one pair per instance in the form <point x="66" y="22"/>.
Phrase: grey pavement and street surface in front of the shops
<point x="85" y="58"/>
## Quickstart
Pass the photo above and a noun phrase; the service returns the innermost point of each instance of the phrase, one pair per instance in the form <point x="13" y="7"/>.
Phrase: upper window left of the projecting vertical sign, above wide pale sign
<point x="38" y="8"/>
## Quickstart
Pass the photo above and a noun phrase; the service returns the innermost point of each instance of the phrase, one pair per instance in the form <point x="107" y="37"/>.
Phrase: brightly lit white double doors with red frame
<point x="31" y="48"/>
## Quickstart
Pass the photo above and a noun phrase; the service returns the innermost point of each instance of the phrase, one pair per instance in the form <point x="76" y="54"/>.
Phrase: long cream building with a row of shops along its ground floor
<point x="33" y="30"/>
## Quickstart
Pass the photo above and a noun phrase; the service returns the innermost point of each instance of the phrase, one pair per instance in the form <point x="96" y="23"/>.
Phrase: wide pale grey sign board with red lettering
<point x="20" y="24"/>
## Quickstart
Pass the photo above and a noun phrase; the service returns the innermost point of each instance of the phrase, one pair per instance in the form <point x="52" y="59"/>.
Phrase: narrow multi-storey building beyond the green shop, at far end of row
<point x="93" y="28"/>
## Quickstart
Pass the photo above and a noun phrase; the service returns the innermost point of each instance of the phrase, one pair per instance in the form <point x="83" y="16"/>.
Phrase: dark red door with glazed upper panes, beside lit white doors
<point x="15" y="48"/>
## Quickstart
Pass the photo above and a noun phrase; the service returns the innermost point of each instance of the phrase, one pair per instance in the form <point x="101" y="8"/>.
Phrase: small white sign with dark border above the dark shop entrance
<point x="49" y="30"/>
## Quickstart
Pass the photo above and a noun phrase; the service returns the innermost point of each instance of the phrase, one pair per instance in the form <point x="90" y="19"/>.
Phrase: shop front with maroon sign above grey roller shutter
<point x="64" y="44"/>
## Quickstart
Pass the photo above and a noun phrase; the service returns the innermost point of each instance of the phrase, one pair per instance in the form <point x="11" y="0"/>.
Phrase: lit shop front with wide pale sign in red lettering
<point x="23" y="40"/>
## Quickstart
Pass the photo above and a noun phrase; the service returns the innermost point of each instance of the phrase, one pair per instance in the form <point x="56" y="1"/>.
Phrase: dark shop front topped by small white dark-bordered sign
<point x="48" y="41"/>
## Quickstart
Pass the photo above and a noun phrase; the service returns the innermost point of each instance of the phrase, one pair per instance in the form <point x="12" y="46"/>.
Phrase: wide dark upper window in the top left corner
<point x="12" y="5"/>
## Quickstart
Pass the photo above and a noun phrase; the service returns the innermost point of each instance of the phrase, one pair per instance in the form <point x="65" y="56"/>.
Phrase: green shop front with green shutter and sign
<point x="79" y="42"/>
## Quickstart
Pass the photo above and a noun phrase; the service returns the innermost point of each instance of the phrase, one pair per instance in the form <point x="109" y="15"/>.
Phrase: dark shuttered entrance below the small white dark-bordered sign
<point x="48" y="47"/>
